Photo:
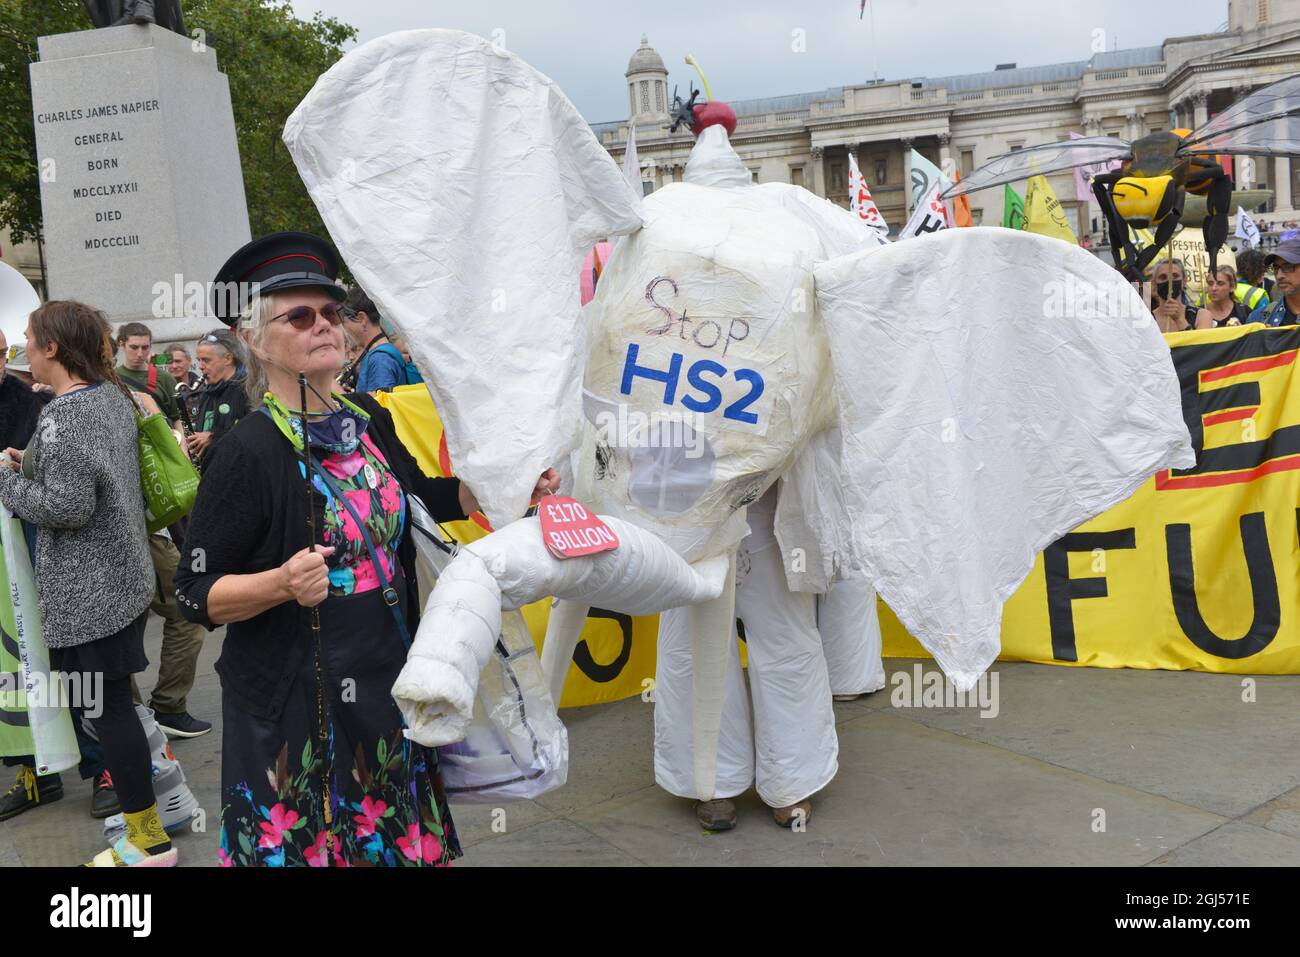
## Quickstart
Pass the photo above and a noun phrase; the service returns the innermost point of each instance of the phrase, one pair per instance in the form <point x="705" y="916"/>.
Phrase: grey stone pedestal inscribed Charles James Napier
<point x="141" y="188"/>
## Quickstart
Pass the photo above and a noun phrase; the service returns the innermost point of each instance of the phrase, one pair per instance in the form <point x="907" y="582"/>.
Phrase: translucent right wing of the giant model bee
<point x="1266" y="123"/>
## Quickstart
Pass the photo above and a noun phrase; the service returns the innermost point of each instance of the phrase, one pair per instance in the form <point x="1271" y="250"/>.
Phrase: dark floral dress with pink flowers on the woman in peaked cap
<point x="387" y="802"/>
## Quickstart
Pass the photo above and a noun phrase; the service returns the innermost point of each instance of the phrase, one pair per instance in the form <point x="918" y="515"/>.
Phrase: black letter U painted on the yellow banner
<point x="1264" y="591"/>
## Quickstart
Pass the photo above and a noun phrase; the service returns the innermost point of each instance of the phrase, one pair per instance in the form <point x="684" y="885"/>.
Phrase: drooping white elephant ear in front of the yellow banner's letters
<point x="996" y="389"/>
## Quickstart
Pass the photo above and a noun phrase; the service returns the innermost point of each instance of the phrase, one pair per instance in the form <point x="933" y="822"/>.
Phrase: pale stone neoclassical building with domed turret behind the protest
<point x="807" y="138"/>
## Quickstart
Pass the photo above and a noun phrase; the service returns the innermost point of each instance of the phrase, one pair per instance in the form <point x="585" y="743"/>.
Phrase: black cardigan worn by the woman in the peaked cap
<point x="252" y="517"/>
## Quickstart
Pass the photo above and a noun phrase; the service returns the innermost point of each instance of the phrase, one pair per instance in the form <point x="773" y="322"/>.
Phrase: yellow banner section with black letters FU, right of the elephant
<point x="1199" y="569"/>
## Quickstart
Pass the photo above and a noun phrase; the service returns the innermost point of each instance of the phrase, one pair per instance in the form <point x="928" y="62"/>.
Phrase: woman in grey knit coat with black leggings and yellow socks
<point x="79" y="483"/>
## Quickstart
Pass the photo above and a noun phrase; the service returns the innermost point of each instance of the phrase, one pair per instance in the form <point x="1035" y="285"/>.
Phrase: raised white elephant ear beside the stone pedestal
<point x="463" y="190"/>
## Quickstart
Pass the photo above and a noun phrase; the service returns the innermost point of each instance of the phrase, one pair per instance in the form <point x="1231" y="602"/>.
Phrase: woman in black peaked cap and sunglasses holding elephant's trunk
<point x="315" y="768"/>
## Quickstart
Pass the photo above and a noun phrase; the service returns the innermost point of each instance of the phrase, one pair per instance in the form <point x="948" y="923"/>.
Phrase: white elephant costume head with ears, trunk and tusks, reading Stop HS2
<point x="463" y="190"/>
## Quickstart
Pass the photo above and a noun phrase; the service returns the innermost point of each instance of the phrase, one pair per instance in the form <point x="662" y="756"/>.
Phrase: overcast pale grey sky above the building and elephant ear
<point x="746" y="47"/>
